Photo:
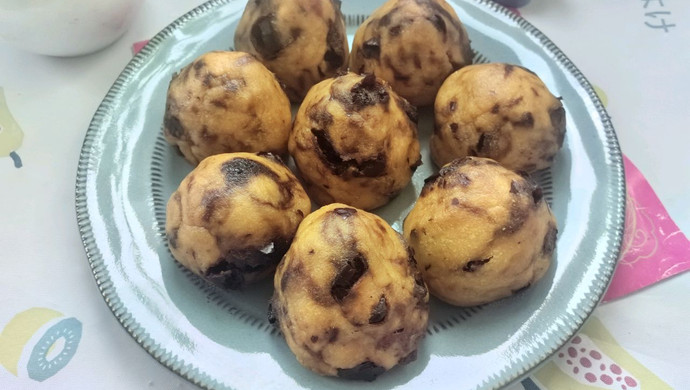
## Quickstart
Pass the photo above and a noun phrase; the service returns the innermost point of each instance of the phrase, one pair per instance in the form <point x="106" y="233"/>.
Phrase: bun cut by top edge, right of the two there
<point x="412" y="44"/>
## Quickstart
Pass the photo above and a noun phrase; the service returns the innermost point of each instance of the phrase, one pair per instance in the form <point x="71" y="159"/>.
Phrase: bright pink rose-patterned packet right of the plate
<point x="653" y="246"/>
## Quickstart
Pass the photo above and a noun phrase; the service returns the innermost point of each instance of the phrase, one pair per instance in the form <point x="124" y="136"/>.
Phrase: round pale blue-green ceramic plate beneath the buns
<point x="222" y="339"/>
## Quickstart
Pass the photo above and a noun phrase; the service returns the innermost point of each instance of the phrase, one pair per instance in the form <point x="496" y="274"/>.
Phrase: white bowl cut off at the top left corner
<point x="64" y="27"/>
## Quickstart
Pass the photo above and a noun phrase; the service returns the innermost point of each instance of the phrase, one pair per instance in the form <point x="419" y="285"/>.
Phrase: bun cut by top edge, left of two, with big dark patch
<point x="301" y="41"/>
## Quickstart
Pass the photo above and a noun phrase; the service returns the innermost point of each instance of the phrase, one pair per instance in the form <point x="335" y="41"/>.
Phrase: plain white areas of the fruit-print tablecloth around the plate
<point x="643" y="71"/>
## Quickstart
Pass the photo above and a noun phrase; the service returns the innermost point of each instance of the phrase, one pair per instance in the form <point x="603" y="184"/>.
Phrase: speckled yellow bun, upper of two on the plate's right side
<point x="500" y="111"/>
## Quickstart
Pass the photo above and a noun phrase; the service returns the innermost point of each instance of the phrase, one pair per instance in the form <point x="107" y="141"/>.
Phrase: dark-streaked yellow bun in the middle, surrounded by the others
<point x="354" y="141"/>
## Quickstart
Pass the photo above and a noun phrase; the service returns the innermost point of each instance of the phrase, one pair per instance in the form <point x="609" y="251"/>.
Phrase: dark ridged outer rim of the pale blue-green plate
<point x="186" y="370"/>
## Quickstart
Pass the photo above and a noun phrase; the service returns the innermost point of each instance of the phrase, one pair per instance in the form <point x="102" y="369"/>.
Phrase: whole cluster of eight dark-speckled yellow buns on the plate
<point x="351" y="294"/>
